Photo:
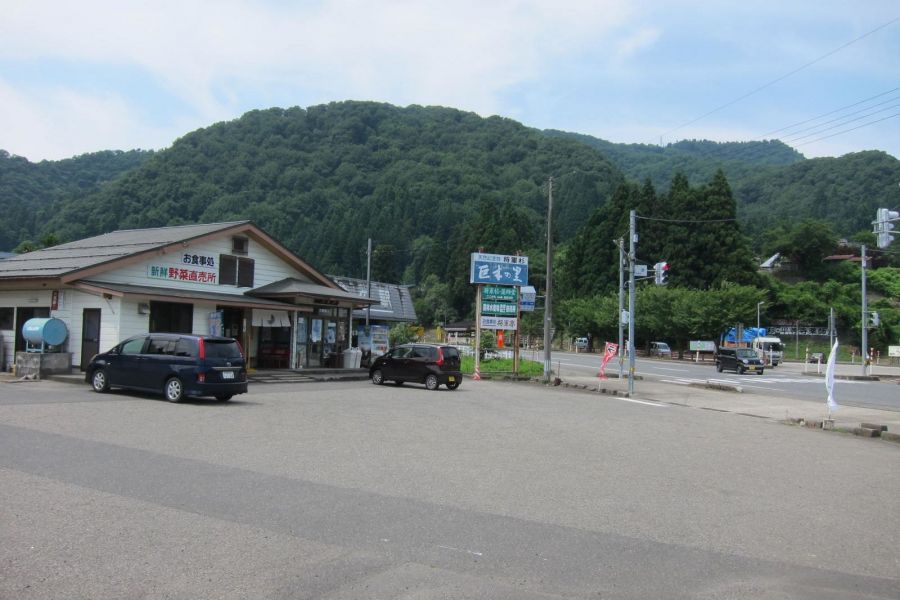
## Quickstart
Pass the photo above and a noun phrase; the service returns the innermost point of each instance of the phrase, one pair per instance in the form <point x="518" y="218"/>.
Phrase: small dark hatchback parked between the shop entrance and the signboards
<point x="431" y="364"/>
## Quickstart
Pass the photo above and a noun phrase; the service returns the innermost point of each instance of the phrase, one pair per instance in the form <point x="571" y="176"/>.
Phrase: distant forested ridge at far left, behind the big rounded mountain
<point x="27" y="189"/>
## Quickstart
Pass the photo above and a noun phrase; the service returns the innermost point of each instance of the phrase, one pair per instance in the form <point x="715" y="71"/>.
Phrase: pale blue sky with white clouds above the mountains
<point x="821" y="75"/>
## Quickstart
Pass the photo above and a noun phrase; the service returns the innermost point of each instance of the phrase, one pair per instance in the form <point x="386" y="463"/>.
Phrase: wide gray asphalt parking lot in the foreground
<point x="348" y="490"/>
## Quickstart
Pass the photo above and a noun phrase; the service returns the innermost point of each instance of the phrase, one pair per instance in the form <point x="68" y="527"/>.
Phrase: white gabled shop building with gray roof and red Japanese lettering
<point x="229" y="279"/>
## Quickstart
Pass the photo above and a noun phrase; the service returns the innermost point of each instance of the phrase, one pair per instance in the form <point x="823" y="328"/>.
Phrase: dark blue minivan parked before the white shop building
<point x="178" y="365"/>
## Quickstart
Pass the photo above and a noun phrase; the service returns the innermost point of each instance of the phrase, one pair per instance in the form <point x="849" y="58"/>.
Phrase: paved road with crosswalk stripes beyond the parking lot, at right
<point x="794" y="379"/>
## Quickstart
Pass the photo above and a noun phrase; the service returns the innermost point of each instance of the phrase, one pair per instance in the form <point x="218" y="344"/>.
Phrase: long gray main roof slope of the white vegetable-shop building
<point x="75" y="256"/>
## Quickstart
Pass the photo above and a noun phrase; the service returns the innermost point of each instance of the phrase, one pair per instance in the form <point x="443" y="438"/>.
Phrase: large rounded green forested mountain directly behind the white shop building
<point x="324" y="179"/>
